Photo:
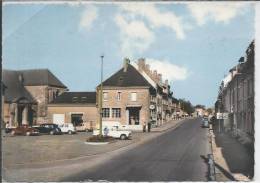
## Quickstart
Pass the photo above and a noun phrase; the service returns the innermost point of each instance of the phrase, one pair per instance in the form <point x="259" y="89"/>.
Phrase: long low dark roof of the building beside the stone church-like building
<point x="75" y="98"/>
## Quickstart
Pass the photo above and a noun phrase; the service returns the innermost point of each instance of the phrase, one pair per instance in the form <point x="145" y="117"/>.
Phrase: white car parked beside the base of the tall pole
<point x="115" y="132"/>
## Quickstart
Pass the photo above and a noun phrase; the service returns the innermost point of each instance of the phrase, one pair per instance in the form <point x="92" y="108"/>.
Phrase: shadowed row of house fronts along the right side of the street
<point x="236" y="97"/>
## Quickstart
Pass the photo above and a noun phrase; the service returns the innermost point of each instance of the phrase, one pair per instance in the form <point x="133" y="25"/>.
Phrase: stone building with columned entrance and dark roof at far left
<point x="27" y="94"/>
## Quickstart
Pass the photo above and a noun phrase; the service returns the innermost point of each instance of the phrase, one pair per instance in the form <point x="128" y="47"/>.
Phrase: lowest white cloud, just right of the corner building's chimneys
<point x="169" y="70"/>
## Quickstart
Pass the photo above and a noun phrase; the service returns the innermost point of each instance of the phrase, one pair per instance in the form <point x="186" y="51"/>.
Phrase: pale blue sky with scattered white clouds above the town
<point x="192" y="44"/>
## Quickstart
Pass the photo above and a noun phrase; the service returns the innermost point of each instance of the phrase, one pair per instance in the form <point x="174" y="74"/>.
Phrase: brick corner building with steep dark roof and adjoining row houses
<point x="135" y="95"/>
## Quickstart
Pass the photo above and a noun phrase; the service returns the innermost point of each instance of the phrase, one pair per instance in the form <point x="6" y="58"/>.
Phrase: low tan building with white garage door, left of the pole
<point x="74" y="107"/>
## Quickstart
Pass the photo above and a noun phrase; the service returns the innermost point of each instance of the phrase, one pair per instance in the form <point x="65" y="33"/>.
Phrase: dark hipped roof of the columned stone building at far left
<point x="39" y="77"/>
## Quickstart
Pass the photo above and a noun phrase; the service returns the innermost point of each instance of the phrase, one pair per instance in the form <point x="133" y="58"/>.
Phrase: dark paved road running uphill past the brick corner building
<point x="174" y="156"/>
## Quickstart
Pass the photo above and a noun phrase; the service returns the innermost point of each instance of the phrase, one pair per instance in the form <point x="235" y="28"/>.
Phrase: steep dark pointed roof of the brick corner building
<point x="126" y="79"/>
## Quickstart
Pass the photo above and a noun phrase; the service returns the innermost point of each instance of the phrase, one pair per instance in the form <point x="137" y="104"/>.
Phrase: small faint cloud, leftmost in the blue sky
<point x="88" y="16"/>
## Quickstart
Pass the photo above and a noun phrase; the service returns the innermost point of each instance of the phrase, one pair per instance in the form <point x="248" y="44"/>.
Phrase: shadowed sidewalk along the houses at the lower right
<point x="233" y="161"/>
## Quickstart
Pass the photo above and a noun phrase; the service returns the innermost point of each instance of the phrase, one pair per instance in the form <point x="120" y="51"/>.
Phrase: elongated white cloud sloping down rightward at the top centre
<point x="155" y="17"/>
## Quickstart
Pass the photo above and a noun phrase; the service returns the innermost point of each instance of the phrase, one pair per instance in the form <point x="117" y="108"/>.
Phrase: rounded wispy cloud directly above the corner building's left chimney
<point x="135" y="36"/>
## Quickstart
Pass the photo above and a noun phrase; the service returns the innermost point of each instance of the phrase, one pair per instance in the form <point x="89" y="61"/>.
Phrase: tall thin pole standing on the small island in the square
<point x="101" y="97"/>
